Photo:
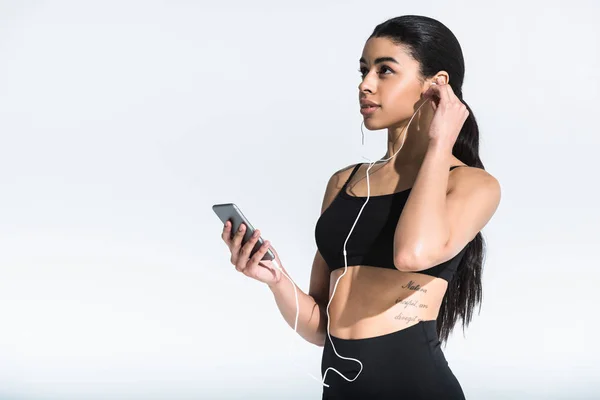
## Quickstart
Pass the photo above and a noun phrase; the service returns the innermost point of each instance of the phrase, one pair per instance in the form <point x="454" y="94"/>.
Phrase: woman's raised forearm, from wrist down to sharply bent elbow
<point x="423" y="227"/>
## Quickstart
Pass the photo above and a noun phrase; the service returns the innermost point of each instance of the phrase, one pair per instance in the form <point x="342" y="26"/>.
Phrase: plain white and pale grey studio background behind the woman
<point x="123" y="122"/>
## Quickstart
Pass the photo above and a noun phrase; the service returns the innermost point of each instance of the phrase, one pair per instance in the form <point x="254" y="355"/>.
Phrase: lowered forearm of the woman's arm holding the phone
<point x="312" y="319"/>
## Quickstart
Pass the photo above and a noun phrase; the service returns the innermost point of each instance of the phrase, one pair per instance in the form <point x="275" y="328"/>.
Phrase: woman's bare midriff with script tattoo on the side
<point x="372" y="301"/>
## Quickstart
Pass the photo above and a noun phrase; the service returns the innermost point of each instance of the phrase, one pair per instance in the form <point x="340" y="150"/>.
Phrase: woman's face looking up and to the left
<point x="392" y="82"/>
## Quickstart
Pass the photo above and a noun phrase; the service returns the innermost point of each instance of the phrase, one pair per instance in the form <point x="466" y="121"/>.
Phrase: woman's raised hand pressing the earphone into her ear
<point x="449" y="116"/>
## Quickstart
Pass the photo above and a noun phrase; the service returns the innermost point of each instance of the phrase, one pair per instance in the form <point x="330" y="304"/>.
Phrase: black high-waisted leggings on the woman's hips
<point x="406" y="364"/>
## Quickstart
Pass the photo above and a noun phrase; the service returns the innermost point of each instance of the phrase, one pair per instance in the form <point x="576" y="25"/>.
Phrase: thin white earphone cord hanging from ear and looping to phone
<point x="345" y="270"/>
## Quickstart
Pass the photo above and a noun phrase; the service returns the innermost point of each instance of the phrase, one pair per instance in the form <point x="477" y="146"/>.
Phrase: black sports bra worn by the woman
<point x="372" y="240"/>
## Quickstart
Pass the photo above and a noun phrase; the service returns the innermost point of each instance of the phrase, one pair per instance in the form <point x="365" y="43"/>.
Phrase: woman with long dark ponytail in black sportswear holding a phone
<point x="413" y="262"/>
